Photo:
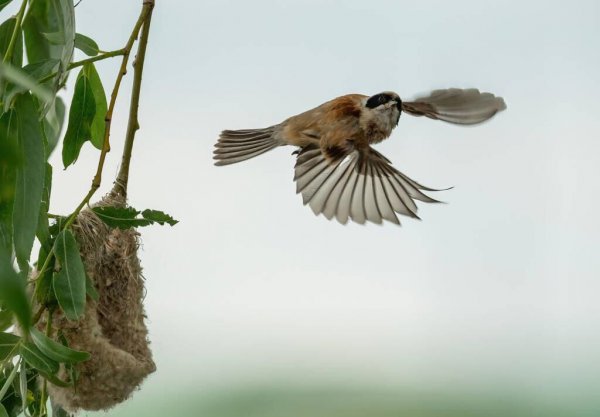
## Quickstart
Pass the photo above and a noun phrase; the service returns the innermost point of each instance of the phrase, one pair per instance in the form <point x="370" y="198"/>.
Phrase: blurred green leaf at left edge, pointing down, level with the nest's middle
<point x="12" y="290"/>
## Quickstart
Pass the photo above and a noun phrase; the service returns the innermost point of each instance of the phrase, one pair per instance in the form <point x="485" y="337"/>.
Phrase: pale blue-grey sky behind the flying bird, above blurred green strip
<point x="499" y="287"/>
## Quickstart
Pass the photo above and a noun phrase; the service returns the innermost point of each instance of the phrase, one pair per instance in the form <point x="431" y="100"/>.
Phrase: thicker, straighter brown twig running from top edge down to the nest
<point x="133" y="124"/>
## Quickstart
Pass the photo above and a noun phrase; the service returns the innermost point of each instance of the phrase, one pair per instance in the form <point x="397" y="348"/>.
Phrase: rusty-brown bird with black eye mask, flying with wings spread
<point x="338" y="172"/>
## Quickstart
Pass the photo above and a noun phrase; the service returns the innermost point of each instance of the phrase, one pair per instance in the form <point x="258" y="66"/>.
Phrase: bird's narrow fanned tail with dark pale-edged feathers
<point x="238" y="145"/>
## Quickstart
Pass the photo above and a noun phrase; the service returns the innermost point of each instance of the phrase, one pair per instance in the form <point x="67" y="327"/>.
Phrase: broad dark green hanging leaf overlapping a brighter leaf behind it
<point x="81" y="116"/>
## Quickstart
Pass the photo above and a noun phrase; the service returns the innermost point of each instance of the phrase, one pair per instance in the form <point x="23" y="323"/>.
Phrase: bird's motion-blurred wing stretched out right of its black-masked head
<point x="464" y="107"/>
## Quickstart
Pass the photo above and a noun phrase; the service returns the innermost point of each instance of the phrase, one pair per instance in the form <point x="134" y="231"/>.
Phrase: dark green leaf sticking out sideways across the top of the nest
<point x="126" y="217"/>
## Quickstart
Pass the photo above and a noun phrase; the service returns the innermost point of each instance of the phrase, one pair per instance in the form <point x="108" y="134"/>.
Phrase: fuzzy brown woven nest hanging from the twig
<point x="113" y="328"/>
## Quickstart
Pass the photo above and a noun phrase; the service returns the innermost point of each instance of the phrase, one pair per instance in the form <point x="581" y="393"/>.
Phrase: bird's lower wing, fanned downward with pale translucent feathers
<point x="362" y="185"/>
